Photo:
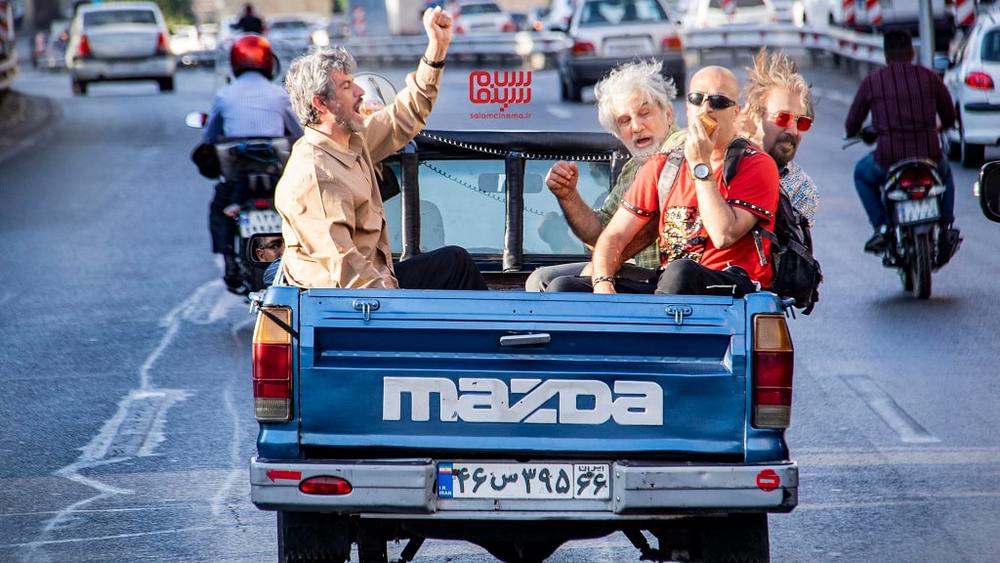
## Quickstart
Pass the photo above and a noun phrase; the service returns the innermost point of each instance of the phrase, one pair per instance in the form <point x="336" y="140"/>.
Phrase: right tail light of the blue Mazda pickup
<point x="773" y="360"/>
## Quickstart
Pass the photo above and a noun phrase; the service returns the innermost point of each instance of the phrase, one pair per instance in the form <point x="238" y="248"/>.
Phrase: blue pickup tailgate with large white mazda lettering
<point x="506" y="372"/>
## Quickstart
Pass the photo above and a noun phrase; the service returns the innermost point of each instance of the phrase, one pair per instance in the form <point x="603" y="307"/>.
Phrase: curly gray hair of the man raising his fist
<point x="309" y="75"/>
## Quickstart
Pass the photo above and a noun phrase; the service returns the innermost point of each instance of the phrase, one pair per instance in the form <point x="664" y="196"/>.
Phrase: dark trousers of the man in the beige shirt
<point x="449" y="267"/>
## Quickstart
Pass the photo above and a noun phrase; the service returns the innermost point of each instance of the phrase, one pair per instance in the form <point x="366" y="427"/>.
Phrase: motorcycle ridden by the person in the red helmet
<point x="252" y="166"/>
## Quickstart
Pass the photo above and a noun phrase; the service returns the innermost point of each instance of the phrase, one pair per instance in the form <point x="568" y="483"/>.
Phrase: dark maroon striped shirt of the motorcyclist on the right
<point x="904" y="100"/>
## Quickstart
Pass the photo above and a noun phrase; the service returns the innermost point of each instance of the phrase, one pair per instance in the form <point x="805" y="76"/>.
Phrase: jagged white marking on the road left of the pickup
<point x="137" y="426"/>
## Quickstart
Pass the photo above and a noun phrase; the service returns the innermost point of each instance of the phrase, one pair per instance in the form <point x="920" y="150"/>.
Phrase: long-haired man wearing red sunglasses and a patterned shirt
<point x="778" y="112"/>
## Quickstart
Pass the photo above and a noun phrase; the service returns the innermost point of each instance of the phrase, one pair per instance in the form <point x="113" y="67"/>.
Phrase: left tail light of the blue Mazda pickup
<point x="272" y="366"/>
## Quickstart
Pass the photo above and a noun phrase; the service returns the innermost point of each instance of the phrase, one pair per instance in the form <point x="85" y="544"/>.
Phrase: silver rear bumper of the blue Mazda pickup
<point x="407" y="488"/>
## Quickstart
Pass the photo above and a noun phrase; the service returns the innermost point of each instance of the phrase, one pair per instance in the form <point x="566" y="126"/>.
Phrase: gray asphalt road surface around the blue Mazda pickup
<point x="127" y="420"/>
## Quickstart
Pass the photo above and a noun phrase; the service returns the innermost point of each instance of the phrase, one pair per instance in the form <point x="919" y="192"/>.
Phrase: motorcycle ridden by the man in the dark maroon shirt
<point x="912" y="197"/>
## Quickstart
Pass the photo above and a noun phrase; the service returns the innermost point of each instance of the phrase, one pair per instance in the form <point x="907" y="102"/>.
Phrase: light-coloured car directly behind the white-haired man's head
<point x="606" y="33"/>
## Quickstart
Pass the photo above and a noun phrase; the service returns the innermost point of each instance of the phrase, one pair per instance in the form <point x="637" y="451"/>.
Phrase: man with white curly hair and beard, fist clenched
<point x="634" y="105"/>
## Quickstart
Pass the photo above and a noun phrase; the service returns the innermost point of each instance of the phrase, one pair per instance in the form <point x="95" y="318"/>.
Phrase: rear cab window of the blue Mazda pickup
<point x="462" y="202"/>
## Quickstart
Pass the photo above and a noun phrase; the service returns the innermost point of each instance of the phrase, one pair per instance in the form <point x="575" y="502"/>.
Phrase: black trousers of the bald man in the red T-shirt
<point x="680" y="277"/>
